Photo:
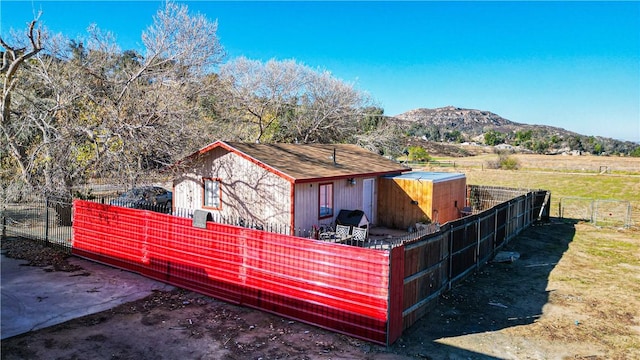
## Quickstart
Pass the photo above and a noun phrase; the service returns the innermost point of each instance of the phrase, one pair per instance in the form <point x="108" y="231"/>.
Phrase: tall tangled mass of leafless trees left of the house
<point x="85" y="108"/>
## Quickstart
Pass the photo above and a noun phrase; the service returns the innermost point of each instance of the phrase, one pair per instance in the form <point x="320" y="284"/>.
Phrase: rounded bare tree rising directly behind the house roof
<point x="286" y="101"/>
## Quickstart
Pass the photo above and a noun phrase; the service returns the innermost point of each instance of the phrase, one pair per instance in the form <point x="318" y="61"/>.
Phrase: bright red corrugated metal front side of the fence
<point x="342" y="288"/>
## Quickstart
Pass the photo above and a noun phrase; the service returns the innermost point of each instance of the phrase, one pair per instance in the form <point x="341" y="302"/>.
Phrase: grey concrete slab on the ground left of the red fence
<point x="33" y="298"/>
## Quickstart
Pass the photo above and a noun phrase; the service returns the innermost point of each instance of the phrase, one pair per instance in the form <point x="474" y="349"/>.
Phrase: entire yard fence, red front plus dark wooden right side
<point x="370" y="294"/>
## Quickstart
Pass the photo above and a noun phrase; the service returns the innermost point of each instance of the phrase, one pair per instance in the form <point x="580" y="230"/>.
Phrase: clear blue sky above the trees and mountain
<point x="574" y="65"/>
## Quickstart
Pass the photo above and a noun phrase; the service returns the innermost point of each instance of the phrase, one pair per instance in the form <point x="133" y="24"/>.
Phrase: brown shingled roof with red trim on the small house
<point x="312" y="162"/>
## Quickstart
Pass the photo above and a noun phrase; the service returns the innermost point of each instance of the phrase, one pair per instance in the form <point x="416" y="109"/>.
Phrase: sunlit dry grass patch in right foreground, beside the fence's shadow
<point x="593" y="294"/>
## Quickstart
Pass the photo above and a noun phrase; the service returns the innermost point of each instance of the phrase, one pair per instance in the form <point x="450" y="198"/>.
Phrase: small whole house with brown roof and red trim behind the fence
<point x="296" y="185"/>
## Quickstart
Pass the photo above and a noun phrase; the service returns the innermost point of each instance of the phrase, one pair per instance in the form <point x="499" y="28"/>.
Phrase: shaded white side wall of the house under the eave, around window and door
<point x="345" y="196"/>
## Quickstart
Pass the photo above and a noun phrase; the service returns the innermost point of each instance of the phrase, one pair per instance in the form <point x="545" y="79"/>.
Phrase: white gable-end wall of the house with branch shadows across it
<point x="248" y="190"/>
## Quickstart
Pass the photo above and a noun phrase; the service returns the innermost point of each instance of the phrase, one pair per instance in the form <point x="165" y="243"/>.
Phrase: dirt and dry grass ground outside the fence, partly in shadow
<point x="540" y="306"/>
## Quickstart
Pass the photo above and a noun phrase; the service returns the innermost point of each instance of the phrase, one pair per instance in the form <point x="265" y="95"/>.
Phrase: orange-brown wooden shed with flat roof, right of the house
<point x="404" y="200"/>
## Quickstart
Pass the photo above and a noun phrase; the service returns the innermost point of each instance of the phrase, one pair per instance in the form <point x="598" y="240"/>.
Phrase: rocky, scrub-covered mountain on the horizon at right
<point x="455" y="125"/>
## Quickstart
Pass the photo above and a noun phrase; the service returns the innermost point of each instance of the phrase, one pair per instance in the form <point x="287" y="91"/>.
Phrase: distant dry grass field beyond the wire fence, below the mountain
<point x="567" y="177"/>
